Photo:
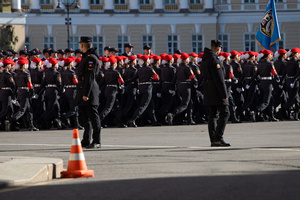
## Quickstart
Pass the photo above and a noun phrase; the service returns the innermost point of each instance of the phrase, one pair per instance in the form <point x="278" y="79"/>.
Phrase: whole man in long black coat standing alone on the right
<point x="215" y="94"/>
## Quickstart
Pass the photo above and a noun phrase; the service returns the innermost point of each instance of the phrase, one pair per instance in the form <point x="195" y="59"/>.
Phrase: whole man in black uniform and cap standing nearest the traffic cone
<point x="87" y="97"/>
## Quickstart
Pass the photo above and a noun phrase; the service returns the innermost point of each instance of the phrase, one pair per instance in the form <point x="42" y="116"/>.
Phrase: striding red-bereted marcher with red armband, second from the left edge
<point x="25" y="92"/>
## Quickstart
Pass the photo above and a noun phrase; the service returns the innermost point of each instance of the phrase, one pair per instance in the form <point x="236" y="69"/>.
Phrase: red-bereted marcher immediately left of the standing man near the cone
<point x="69" y="81"/>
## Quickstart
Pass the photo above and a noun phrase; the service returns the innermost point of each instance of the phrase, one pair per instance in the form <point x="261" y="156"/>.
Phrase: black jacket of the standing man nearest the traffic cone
<point x="87" y="84"/>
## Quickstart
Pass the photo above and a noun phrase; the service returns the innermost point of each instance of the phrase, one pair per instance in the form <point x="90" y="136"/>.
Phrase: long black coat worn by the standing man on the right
<point x="213" y="74"/>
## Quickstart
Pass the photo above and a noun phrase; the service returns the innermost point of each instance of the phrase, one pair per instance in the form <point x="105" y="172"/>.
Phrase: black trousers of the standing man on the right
<point x="217" y="119"/>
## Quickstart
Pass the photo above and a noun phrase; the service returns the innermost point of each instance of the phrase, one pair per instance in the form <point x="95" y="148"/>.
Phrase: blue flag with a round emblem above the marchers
<point x="268" y="32"/>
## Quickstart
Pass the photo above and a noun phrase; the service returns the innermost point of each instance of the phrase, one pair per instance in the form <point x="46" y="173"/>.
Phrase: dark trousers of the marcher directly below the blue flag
<point x="265" y="88"/>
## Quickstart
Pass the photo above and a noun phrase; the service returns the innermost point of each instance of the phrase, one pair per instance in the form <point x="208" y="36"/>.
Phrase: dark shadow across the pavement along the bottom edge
<point x="282" y="185"/>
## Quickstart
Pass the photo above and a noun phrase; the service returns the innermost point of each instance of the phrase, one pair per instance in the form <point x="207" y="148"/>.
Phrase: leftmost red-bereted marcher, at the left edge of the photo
<point x="7" y="85"/>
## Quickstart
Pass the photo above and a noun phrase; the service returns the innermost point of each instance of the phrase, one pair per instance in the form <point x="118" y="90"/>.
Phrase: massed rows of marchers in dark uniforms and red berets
<point x="38" y="89"/>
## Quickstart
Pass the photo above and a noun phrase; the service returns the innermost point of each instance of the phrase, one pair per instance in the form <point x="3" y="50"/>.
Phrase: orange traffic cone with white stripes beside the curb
<point x="77" y="166"/>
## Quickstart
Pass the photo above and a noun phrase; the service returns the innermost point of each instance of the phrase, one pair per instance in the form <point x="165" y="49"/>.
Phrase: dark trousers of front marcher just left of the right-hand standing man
<point x="184" y="91"/>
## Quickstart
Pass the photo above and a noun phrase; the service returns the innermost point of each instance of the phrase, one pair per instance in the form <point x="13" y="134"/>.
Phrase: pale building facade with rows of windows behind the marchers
<point x="165" y="25"/>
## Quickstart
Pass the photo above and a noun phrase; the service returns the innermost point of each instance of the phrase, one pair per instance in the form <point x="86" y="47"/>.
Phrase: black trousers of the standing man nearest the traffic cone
<point x="90" y="121"/>
